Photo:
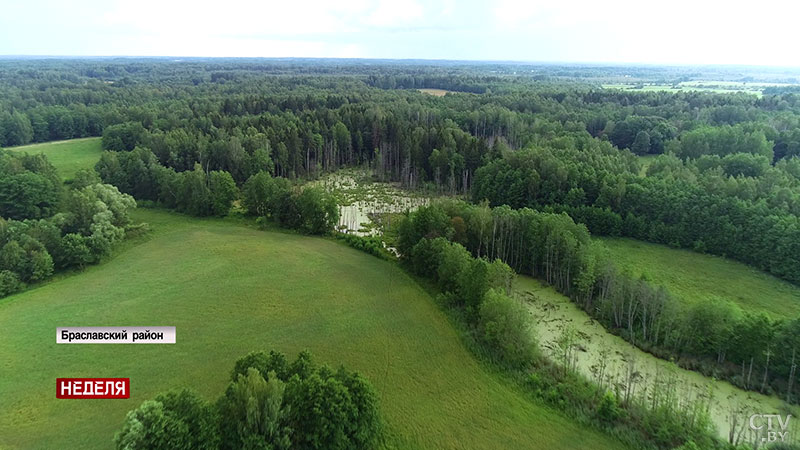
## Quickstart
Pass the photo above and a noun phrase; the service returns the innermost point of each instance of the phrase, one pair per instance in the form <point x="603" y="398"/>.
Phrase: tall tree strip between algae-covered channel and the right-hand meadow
<point x="717" y="338"/>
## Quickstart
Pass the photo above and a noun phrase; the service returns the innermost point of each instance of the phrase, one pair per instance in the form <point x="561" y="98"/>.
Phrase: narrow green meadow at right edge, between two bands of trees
<point x="697" y="277"/>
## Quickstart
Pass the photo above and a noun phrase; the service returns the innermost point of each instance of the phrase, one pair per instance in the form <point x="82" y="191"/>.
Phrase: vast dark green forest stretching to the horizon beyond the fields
<point x="722" y="170"/>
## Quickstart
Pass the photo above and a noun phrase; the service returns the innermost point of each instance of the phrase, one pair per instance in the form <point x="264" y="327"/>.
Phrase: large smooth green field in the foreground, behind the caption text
<point x="230" y="289"/>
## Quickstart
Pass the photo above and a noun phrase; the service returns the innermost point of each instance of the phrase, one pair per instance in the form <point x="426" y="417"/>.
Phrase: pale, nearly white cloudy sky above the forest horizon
<point x="609" y="31"/>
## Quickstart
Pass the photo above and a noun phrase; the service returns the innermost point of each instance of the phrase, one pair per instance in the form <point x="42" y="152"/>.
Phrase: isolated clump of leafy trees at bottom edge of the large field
<point x="270" y="403"/>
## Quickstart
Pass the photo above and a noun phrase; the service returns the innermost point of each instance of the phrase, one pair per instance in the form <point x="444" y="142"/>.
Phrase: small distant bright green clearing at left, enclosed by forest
<point x="67" y="156"/>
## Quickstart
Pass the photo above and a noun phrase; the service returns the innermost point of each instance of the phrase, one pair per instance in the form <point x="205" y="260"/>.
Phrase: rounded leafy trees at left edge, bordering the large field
<point x="46" y="228"/>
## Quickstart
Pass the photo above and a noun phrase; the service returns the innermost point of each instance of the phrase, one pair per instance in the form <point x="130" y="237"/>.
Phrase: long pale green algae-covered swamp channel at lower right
<point x="612" y="362"/>
